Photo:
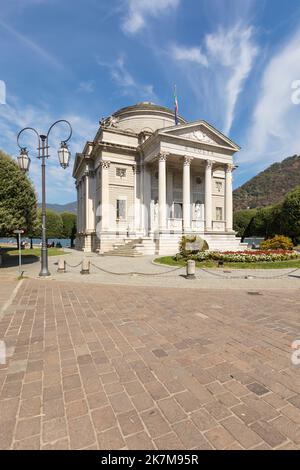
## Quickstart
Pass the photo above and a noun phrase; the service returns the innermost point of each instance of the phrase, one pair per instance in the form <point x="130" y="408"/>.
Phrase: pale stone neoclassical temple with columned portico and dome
<point x="146" y="181"/>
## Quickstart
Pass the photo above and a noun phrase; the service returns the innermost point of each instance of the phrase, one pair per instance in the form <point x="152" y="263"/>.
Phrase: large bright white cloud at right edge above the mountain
<point x="274" y="132"/>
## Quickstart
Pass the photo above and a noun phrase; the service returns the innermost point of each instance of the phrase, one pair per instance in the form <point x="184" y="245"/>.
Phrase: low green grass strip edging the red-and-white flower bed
<point x="169" y="261"/>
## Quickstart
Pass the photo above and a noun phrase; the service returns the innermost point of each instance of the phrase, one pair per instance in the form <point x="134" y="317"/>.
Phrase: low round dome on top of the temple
<point x="146" y="117"/>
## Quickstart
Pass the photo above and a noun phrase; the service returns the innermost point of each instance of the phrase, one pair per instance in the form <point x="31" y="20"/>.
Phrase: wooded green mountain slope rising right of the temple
<point x="269" y="186"/>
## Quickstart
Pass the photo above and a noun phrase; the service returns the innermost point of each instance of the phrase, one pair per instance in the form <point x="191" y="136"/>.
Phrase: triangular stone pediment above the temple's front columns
<point x="201" y="132"/>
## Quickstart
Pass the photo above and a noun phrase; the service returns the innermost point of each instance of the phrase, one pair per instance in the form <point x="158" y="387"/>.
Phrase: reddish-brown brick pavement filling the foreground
<point x="114" y="367"/>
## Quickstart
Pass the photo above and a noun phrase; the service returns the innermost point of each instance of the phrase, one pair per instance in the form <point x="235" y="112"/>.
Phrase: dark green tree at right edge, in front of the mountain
<point x="290" y="214"/>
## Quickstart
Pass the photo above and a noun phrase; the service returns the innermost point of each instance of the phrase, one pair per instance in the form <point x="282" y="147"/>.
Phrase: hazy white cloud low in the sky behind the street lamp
<point x="14" y="116"/>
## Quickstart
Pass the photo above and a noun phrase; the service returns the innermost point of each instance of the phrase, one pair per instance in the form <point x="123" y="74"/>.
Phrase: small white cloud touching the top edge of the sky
<point x="139" y="10"/>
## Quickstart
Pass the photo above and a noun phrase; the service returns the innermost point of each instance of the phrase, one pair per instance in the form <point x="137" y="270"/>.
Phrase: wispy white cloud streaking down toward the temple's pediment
<point x="228" y="57"/>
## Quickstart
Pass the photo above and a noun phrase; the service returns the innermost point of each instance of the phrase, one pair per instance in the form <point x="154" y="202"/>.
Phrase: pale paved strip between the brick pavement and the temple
<point x="142" y="271"/>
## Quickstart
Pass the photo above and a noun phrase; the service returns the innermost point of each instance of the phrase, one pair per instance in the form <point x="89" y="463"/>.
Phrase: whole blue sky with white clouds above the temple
<point x="235" y="63"/>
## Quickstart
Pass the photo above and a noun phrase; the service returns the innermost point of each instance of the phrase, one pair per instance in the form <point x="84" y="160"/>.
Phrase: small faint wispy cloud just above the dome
<point x="126" y="81"/>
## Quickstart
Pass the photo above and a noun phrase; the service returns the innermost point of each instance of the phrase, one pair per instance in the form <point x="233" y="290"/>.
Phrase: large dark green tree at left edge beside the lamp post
<point x="17" y="198"/>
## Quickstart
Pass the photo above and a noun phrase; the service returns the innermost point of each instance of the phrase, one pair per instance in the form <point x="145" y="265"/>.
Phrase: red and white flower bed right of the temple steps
<point x="243" y="256"/>
